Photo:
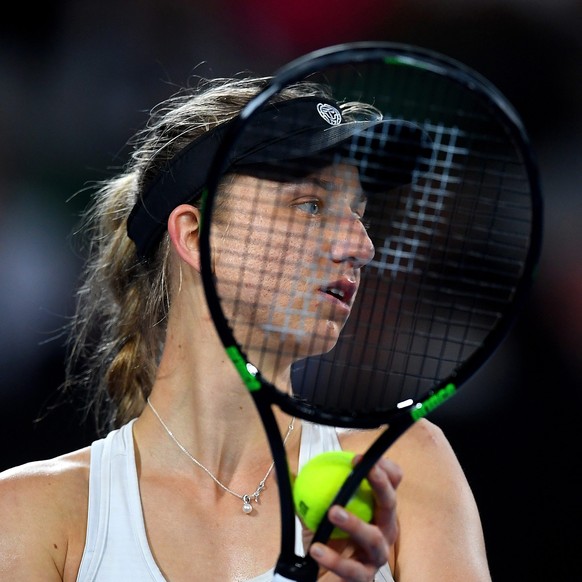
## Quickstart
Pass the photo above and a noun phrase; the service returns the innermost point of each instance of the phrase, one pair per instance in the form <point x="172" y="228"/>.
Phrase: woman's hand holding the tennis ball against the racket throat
<point x="358" y="558"/>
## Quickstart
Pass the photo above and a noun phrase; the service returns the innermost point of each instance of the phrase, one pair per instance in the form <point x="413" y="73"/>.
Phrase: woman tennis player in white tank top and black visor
<point x="181" y="487"/>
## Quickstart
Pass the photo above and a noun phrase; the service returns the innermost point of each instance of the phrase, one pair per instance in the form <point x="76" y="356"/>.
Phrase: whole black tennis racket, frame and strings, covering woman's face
<point x="381" y="228"/>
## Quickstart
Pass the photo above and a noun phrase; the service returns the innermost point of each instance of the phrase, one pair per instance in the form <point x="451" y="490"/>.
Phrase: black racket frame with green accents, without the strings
<point x="290" y="566"/>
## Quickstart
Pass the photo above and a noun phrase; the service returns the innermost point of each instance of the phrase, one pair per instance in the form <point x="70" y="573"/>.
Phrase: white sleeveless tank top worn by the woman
<point x="116" y="546"/>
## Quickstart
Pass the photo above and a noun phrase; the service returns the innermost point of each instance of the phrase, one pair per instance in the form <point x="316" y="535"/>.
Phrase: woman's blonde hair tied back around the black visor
<point x="118" y="330"/>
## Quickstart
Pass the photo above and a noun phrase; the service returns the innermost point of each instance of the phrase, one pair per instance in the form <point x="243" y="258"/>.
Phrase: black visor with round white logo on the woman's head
<point x="286" y="139"/>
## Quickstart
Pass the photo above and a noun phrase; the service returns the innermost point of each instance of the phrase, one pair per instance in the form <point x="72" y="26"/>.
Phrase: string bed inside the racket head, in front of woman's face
<point x="451" y="244"/>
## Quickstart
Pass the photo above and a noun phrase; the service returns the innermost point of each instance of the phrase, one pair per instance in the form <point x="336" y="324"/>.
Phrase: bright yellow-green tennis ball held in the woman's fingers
<point x="317" y="484"/>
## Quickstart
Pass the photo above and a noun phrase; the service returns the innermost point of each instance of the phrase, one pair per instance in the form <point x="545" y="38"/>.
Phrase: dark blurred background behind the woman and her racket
<point x="77" y="79"/>
